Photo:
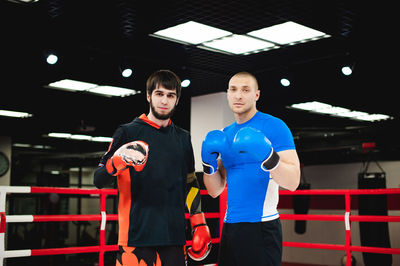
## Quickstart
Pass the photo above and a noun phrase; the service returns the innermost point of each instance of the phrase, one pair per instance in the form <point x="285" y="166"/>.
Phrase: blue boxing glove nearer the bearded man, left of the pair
<point x="213" y="145"/>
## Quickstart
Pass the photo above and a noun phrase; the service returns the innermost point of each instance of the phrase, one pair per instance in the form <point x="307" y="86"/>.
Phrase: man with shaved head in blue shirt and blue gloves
<point x="253" y="157"/>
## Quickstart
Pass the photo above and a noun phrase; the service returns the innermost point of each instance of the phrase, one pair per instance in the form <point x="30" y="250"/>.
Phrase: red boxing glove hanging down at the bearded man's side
<point x="201" y="242"/>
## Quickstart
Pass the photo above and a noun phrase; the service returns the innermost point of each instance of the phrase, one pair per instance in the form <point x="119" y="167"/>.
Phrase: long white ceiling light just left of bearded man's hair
<point x="74" y="85"/>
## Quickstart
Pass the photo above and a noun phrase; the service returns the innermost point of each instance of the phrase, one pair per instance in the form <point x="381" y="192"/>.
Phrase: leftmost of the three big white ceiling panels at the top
<point x="191" y="32"/>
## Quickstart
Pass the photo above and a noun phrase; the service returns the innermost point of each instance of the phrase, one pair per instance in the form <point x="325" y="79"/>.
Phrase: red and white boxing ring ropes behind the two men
<point x="103" y="217"/>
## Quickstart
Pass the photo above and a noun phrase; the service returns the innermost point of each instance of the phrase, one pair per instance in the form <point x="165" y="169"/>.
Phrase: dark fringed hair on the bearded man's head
<point x="165" y="78"/>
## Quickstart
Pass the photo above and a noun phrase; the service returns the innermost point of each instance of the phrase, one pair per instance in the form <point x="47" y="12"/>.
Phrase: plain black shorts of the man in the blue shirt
<point x="255" y="244"/>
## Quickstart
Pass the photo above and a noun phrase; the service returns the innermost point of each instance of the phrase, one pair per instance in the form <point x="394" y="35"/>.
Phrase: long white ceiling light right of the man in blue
<point x="323" y="108"/>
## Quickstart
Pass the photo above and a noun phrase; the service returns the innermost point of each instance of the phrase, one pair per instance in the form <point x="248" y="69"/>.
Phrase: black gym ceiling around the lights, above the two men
<point x="93" y="38"/>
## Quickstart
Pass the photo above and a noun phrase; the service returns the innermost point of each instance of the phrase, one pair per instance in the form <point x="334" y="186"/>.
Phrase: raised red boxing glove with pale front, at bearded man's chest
<point x="133" y="153"/>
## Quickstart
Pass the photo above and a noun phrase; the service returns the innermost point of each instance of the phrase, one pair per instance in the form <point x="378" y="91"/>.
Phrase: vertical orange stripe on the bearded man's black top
<point x="124" y="206"/>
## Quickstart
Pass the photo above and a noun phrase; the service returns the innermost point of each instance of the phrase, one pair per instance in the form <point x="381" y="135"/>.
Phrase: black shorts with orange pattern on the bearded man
<point x="154" y="256"/>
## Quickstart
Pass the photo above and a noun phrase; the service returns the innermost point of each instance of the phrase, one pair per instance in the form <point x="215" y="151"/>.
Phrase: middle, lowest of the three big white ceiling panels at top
<point x="238" y="44"/>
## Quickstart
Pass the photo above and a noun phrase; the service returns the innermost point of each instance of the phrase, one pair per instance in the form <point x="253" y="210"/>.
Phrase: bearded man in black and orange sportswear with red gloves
<point x="152" y="161"/>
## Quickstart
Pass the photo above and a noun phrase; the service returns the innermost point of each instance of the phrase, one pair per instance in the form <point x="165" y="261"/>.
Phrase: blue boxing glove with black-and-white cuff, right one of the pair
<point x="252" y="141"/>
